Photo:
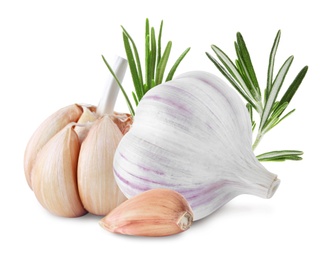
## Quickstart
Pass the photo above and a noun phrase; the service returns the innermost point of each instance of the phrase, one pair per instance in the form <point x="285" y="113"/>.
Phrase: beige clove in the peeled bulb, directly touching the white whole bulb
<point x="97" y="187"/>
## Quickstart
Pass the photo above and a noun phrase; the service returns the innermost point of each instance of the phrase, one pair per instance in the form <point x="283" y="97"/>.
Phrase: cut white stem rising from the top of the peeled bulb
<point x="107" y="102"/>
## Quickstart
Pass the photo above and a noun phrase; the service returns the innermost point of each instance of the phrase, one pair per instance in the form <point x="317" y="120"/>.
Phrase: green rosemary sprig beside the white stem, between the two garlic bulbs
<point x="155" y="63"/>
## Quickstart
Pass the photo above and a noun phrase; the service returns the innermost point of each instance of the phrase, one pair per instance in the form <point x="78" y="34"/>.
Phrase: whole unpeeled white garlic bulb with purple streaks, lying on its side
<point x="193" y="135"/>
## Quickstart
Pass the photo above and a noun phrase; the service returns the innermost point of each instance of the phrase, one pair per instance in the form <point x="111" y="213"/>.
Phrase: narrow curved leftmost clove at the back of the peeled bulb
<point x="51" y="126"/>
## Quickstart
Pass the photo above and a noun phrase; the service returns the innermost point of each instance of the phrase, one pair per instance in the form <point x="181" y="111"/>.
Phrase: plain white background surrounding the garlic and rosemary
<point x="50" y="56"/>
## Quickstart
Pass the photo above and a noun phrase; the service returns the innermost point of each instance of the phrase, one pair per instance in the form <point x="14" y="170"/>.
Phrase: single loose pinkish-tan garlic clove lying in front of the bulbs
<point x="157" y="212"/>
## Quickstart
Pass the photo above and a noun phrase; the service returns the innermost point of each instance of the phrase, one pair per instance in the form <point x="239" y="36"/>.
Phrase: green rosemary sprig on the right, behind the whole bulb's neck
<point x="241" y="75"/>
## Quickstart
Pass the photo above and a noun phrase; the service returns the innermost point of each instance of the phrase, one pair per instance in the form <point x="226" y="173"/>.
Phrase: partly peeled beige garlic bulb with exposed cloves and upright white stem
<point x="69" y="159"/>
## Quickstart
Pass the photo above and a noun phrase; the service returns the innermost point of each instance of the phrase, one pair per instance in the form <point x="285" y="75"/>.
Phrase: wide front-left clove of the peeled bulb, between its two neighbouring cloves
<point x="54" y="175"/>
